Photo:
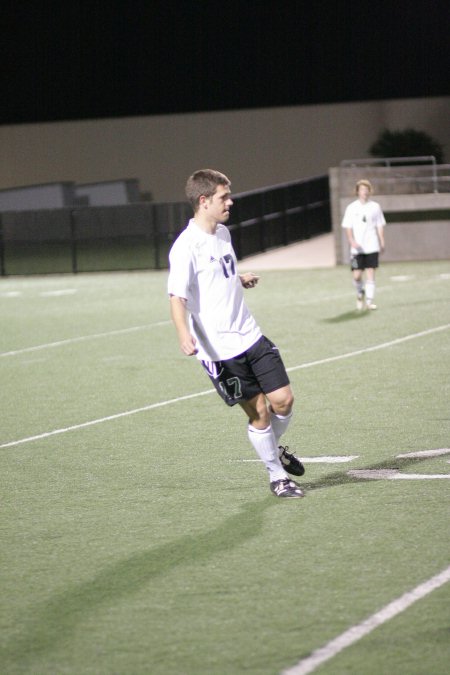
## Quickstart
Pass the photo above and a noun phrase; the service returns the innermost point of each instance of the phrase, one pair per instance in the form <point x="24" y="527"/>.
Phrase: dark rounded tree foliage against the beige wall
<point x="406" y="143"/>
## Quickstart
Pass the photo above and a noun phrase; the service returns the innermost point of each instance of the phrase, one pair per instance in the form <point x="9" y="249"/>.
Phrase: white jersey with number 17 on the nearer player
<point x="203" y="269"/>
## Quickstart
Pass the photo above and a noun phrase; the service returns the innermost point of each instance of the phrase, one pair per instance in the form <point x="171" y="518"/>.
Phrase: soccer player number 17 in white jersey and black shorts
<point x="214" y="323"/>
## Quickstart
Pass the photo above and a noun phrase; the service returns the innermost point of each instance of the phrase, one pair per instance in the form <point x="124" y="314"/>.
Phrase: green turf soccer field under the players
<point x="138" y="531"/>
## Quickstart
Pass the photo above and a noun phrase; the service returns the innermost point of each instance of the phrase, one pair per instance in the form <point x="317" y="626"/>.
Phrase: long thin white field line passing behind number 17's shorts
<point x="126" y="413"/>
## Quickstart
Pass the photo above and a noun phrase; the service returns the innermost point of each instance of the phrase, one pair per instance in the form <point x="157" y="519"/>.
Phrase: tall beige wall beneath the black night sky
<point x="254" y="147"/>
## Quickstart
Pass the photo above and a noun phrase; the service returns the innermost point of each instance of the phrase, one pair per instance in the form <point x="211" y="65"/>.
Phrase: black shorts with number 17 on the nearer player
<point x="259" y="369"/>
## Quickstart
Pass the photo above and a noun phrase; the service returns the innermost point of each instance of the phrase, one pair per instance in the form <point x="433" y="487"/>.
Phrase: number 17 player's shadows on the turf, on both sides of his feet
<point x="52" y="623"/>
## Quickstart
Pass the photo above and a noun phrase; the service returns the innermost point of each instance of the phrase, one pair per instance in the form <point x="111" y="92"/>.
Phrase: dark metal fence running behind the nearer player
<point x="139" y="236"/>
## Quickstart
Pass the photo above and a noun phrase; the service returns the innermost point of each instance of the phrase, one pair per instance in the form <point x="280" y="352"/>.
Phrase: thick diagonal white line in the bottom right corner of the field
<point x="355" y="633"/>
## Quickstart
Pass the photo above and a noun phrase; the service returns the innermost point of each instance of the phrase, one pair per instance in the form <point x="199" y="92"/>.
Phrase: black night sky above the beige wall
<point x="65" y="60"/>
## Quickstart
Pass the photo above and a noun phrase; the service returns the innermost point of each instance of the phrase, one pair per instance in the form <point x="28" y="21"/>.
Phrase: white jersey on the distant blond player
<point x="364" y="218"/>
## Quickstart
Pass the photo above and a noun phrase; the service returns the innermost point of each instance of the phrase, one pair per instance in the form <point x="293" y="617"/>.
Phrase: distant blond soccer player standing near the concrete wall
<point x="364" y="223"/>
